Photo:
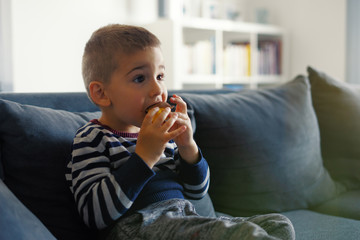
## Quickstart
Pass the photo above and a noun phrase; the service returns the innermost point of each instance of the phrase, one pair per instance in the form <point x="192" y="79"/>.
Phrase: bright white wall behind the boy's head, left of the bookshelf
<point x="49" y="37"/>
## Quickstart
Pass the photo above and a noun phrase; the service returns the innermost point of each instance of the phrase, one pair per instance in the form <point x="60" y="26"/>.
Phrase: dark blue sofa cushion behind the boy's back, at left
<point x="35" y="147"/>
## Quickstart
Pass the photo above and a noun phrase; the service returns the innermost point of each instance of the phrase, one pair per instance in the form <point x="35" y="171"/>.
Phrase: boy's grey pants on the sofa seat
<point x="176" y="219"/>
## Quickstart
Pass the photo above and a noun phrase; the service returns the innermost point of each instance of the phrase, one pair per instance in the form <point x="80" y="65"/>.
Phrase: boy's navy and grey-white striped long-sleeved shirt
<point x="108" y="179"/>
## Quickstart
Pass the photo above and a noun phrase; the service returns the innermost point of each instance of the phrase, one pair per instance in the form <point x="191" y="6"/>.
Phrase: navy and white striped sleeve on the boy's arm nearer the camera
<point x="102" y="194"/>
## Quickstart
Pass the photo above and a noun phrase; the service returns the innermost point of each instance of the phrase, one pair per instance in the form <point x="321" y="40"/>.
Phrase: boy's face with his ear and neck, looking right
<point x="137" y="83"/>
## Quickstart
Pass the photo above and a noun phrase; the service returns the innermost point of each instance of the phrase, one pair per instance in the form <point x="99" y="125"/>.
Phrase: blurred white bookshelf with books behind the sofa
<point x="216" y="53"/>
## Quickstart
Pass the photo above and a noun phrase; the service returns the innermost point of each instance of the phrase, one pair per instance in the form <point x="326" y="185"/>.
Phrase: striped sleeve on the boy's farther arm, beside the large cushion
<point x="195" y="178"/>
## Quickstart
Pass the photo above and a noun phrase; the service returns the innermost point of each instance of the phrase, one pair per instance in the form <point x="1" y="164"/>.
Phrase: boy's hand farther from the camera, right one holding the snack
<point x="188" y="149"/>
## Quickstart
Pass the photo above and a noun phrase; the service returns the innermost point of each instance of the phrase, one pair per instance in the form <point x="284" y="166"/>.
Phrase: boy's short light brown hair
<point x="102" y="51"/>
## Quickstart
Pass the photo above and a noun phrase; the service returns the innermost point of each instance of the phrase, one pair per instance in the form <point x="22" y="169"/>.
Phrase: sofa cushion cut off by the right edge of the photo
<point x="337" y="106"/>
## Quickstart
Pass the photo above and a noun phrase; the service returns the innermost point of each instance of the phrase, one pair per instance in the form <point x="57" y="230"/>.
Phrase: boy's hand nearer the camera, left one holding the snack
<point x="154" y="134"/>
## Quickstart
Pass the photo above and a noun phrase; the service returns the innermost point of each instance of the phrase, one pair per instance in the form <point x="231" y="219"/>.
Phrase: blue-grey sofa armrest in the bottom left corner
<point x="16" y="221"/>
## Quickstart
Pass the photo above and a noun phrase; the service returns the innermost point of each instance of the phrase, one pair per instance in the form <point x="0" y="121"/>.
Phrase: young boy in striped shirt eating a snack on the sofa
<point x="132" y="167"/>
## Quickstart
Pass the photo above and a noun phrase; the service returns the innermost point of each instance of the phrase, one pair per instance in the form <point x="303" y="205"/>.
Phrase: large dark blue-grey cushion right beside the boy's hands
<point x="263" y="148"/>
